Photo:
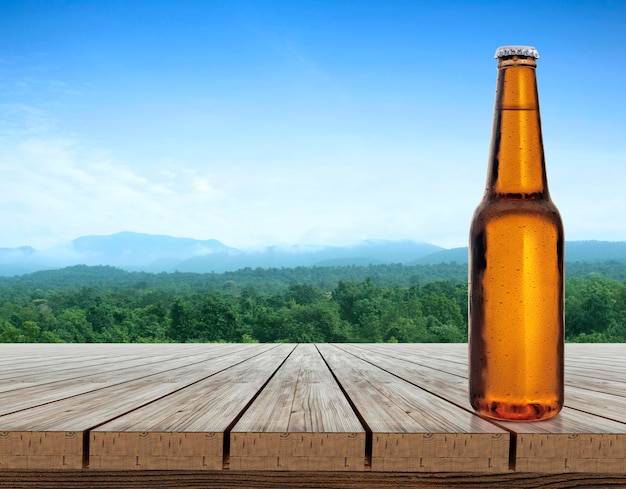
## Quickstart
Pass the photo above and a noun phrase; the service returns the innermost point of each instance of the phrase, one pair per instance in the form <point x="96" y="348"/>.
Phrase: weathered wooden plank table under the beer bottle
<point x="327" y="415"/>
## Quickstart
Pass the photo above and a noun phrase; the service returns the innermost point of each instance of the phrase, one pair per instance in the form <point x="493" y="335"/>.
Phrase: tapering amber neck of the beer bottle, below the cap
<point x="517" y="165"/>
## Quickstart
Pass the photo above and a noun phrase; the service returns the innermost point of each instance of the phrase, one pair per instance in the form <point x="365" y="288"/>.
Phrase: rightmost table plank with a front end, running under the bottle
<point x="574" y="441"/>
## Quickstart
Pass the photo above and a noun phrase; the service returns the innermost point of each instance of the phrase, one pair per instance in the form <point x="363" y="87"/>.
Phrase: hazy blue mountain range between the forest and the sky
<point x="157" y="253"/>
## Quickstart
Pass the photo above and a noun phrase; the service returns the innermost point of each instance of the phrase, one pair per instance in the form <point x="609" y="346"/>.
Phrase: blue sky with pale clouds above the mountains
<point x="297" y="122"/>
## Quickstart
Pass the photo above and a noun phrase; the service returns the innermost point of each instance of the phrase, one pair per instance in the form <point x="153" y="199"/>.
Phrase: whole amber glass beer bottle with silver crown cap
<point x="516" y="310"/>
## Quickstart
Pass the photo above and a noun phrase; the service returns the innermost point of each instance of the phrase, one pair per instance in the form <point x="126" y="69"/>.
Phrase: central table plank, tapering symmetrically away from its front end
<point x="300" y="421"/>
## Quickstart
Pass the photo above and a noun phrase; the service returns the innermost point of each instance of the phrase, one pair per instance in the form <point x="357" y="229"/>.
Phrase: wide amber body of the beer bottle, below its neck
<point x="516" y="312"/>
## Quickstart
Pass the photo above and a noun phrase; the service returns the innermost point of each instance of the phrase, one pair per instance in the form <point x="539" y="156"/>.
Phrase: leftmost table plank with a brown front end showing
<point x="51" y="436"/>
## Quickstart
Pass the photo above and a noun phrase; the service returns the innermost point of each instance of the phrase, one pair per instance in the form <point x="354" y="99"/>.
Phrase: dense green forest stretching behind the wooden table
<point x="376" y="303"/>
